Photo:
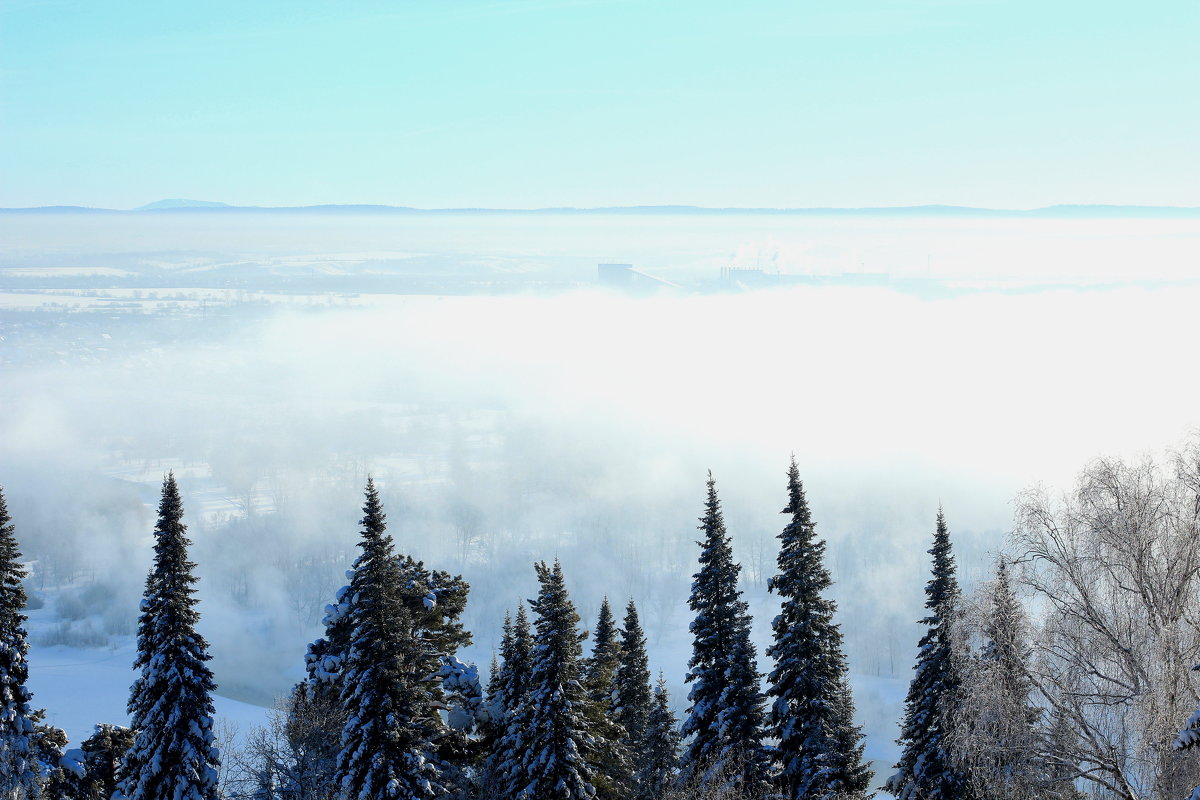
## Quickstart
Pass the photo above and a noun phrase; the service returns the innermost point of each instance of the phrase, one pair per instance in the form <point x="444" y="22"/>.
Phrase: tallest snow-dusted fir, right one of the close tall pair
<point x="820" y="748"/>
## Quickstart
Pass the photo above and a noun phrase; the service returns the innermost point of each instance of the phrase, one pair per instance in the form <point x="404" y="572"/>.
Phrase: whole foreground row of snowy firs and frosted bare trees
<point x="998" y="707"/>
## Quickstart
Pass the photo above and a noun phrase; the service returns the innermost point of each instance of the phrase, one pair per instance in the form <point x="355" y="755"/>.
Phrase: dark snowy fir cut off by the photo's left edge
<point x="20" y="766"/>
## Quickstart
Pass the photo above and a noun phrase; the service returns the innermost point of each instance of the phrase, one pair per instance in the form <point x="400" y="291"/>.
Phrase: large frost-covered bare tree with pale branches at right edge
<point x="1113" y="568"/>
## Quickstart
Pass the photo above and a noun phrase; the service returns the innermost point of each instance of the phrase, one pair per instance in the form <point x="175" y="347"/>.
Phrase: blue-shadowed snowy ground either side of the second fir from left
<point x="82" y="687"/>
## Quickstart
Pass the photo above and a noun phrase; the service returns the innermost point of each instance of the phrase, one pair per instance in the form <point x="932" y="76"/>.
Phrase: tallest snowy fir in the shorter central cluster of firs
<point x="550" y="730"/>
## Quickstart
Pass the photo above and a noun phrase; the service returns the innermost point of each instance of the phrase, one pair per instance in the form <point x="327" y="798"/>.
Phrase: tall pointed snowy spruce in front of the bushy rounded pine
<point x="386" y="744"/>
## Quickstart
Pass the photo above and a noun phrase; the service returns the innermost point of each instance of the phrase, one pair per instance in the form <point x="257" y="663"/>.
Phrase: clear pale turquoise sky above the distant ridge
<point x="543" y="104"/>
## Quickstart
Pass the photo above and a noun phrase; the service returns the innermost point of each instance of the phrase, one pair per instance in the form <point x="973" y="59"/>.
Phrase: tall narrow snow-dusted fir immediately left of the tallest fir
<point x="725" y="720"/>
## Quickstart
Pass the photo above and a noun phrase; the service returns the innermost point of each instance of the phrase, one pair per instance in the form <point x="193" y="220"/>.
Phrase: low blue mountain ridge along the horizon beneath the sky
<point x="1053" y="212"/>
